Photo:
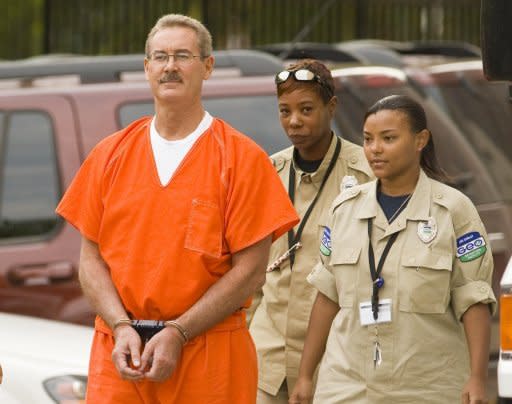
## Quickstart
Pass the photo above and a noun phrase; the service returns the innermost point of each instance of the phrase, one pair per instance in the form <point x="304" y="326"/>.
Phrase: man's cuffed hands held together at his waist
<point x="159" y="357"/>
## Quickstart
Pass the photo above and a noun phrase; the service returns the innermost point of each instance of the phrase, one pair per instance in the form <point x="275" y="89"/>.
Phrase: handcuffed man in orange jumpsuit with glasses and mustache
<point x="176" y="224"/>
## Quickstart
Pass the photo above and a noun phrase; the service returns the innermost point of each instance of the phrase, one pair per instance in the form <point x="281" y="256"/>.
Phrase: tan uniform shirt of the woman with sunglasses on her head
<point x="281" y="318"/>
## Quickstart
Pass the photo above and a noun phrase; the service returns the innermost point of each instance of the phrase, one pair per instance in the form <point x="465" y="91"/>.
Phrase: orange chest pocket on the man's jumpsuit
<point x="204" y="229"/>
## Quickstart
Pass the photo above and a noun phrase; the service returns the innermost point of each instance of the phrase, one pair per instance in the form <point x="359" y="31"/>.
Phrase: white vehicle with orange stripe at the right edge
<point x="505" y="360"/>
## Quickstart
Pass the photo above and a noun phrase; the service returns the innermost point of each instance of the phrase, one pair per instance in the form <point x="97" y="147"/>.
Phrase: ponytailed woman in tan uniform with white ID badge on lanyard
<point x="404" y="303"/>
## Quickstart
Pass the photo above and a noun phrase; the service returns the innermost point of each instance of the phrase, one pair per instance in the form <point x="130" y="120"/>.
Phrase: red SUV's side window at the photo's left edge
<point x="29" y="183"/>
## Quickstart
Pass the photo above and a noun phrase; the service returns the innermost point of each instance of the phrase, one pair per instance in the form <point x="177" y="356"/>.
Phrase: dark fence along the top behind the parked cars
<point x="34" y="27"/>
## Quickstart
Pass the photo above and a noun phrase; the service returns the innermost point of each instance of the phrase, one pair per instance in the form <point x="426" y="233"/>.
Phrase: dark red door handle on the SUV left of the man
<point x="41" y="274"/>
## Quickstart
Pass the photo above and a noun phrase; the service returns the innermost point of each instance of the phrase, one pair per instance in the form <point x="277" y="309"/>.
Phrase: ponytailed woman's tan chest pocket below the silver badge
<point x="424" y="280"/>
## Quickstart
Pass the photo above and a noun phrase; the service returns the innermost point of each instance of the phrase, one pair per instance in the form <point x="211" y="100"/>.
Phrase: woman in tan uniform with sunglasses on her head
<point x="313" y="171"/>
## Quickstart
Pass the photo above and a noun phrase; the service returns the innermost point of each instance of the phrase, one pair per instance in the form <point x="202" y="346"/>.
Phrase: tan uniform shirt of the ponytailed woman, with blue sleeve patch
<point x="439" y="265"/>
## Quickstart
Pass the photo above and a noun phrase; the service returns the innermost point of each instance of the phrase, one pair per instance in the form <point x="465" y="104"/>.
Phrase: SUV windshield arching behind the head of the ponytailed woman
<point x="454" y="152"/>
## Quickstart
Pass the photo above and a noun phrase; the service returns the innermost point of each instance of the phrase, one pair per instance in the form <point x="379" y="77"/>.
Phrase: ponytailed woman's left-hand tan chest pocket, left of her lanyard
<point x="345" y="264"/>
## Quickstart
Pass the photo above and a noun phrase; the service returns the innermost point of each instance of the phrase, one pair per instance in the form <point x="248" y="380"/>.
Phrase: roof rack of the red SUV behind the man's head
<point x="99" y="69"/>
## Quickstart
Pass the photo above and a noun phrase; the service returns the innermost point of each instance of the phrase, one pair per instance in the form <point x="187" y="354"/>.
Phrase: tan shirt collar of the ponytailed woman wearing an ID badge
<point x="418" y="207"/>
